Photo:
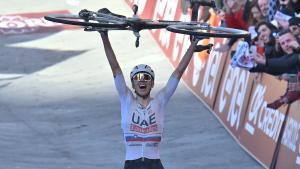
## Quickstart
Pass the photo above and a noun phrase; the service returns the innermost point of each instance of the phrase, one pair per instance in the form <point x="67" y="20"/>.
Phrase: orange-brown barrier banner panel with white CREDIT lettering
<point x="262" y="125"/>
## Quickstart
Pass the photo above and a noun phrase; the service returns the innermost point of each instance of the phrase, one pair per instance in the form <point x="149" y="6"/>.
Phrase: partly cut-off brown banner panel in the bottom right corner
<point x="289" y="153"/>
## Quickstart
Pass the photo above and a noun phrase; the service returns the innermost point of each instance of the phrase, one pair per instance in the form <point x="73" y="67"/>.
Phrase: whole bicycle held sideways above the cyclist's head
<point x="103" y="19"/>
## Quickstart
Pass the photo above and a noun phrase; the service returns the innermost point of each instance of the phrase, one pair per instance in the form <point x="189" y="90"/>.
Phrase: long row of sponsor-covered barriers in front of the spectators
<point x="233" y="95"/>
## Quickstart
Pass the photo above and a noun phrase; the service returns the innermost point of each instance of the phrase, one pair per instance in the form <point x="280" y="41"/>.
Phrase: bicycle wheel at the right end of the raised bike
<point x="200" y="30"/>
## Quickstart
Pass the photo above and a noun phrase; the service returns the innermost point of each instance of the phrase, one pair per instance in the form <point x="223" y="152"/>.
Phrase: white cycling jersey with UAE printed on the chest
<point x="143" y="126"/>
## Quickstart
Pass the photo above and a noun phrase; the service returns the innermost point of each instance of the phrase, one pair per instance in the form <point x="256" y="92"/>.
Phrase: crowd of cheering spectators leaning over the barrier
<point x="275" y="35"/>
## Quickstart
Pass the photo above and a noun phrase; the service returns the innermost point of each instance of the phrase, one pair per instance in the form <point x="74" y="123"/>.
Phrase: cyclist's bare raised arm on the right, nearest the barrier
<point x="178" y="72"/>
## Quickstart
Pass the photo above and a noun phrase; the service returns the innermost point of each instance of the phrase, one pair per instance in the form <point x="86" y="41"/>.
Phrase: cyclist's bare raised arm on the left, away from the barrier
<point x="111" y="57"/>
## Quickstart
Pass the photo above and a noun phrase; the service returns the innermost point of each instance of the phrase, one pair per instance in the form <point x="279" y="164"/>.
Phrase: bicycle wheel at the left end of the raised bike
<point x="72" y="19"/>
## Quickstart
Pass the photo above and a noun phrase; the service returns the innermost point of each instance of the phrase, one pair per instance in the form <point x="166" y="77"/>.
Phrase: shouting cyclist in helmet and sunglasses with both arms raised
<point x="143" y="115"/>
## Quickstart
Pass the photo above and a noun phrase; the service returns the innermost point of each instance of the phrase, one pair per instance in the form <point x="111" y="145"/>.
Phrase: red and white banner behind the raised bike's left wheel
<point x="14" y="24"/>
